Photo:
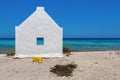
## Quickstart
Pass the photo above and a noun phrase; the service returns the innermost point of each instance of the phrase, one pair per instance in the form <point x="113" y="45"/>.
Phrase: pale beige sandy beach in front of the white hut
<point x="99" y="65"/>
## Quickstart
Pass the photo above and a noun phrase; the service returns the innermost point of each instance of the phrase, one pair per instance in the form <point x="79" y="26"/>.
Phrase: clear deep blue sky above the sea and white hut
<point x="79" y="18"/>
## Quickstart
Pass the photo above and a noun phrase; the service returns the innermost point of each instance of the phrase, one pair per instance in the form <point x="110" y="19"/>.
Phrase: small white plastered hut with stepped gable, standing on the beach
<point x="39" y="26"/>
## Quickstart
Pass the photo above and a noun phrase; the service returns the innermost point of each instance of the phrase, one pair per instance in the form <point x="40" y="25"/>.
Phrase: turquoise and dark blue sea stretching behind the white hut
<point x="76" y="44"/>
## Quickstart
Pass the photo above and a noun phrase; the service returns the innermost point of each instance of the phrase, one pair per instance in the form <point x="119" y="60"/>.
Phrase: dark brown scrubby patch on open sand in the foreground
<point x="63" y="70"/>
